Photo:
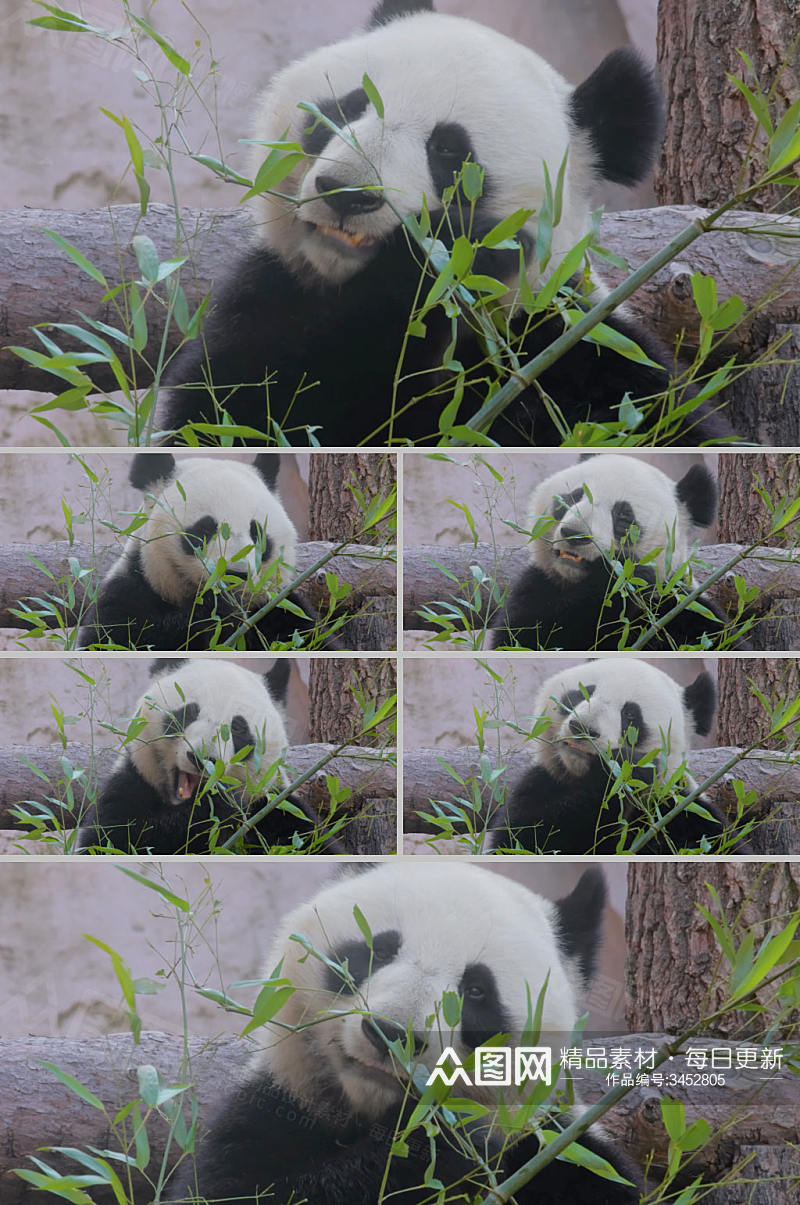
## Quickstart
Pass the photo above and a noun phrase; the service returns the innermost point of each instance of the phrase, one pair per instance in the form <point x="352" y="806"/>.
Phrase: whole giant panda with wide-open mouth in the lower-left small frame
<point x="202" y="754"/>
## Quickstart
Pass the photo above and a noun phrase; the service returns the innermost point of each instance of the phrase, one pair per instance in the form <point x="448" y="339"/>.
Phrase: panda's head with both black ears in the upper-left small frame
<point x="202" y="510"/>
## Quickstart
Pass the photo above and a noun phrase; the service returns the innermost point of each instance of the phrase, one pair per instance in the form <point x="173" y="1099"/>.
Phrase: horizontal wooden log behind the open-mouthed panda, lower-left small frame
<point x="367" y="772"/>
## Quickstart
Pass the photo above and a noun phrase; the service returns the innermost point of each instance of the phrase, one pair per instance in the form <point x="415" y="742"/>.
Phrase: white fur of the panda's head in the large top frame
<point x="514" y="104"/>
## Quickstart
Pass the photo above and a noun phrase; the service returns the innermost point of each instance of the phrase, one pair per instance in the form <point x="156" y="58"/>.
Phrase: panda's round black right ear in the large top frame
<point x="620" y="108"/>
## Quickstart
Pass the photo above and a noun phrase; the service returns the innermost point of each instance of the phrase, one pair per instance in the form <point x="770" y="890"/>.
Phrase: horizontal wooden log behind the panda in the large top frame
<point x="39" y="284"/>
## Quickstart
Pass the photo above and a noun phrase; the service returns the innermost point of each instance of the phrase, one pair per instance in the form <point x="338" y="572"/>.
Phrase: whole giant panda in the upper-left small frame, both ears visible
<point x="164" y="592"/>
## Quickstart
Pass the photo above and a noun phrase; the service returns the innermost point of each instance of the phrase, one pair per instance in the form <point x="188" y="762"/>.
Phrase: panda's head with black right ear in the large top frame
<point x="450" y="91"/>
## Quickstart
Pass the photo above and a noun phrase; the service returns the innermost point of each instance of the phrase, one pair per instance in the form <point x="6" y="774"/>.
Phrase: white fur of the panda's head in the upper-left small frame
<point x="236" y="495"/>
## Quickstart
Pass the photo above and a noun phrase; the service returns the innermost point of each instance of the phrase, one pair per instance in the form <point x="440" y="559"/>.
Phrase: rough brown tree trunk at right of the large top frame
<point x="714" y="146"/>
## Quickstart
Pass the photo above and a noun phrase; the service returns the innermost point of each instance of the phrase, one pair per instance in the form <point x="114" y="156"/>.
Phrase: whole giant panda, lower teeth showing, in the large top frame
<point x="310" y="331"/>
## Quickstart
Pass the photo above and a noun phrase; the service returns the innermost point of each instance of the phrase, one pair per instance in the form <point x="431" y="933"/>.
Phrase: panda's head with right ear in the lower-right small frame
<point x="621" y="707"/>
